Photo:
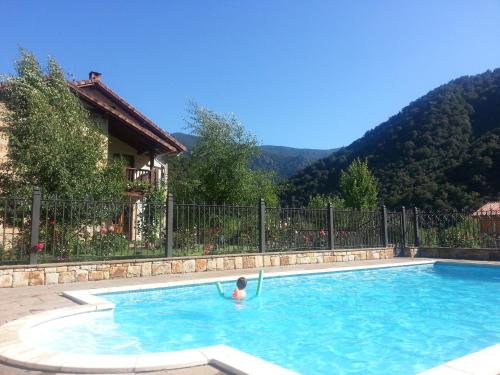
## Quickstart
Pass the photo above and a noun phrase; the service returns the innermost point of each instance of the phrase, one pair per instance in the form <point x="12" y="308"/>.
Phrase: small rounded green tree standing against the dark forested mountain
<point x="358" y="186"/>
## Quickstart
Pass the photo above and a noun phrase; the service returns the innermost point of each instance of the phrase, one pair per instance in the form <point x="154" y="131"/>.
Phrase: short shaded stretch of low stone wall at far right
<point x="454" y="253"/>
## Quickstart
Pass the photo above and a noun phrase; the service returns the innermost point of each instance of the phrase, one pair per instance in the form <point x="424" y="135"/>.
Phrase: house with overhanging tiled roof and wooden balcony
<point x="130" y="136"/>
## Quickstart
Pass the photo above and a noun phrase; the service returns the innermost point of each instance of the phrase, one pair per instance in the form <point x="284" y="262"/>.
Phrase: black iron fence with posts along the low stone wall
<point x="53" y="230"/>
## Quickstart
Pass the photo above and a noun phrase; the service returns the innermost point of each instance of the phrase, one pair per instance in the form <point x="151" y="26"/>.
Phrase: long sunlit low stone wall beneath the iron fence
<point x="47" y="274"/>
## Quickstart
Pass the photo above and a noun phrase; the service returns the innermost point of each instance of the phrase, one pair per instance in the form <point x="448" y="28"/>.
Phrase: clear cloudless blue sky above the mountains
<point x="309" y="74"/>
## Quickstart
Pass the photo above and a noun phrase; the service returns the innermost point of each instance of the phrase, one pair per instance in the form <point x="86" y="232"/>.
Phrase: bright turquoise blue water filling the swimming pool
<point x="396" y="320"/>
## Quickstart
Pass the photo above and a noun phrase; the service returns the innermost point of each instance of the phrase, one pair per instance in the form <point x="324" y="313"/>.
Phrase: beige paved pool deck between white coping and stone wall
<point x="19" y="302"/>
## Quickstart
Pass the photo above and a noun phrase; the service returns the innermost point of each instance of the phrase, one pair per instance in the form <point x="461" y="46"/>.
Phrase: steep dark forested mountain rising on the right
<point x="441" y="151"/>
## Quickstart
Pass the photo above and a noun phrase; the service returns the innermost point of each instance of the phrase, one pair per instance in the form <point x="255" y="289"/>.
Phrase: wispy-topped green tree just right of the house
<point x="217" y="169"/>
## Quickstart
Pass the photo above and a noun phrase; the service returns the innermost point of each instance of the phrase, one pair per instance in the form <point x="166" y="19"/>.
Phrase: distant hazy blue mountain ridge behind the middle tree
<point x="284" y="161"/>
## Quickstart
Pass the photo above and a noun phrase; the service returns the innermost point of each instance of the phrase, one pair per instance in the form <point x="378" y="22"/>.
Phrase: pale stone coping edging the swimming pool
<point x="15" y="350"/>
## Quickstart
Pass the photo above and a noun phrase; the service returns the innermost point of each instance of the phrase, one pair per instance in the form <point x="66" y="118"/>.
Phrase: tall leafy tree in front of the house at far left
<point x="53" y="140"/>
